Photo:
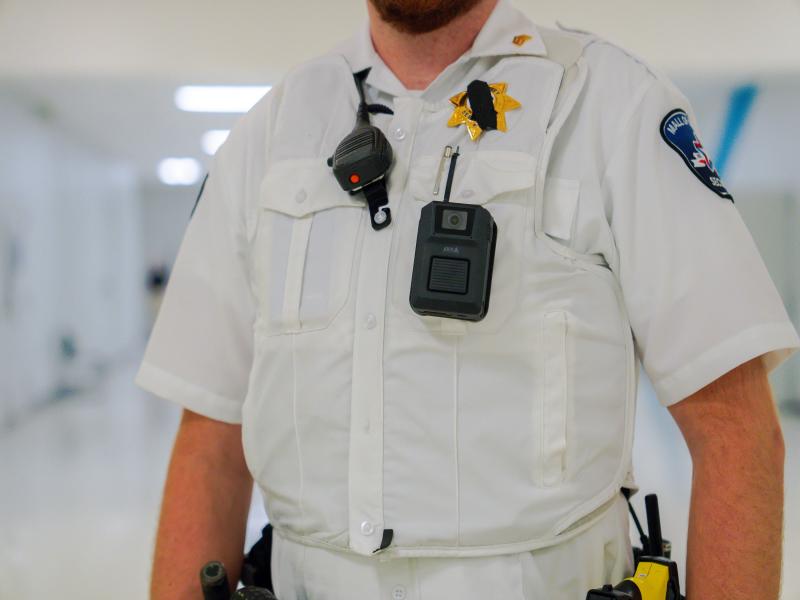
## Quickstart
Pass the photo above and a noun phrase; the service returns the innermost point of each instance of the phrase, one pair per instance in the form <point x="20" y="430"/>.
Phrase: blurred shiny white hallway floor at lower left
<point x="81" y="492"/>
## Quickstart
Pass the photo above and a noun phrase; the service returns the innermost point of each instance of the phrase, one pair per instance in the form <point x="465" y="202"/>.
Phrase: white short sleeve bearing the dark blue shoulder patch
<point x="699" y="298"/>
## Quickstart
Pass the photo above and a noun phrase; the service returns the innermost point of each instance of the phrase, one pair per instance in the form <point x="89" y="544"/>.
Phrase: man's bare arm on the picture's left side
<point x="205" y="507"/>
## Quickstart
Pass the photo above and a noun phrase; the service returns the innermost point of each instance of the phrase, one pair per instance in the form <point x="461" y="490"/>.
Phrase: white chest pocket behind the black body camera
<point x="500" y="181"/>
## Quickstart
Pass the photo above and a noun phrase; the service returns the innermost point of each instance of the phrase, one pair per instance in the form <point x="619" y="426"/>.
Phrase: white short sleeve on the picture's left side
<point x="201" y="348"/>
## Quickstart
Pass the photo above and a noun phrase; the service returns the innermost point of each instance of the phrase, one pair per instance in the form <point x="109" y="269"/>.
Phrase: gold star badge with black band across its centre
<point x="482" y="108"/>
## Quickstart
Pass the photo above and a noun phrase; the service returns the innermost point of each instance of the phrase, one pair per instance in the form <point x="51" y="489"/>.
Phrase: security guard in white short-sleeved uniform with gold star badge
<point x="420" y="457"/>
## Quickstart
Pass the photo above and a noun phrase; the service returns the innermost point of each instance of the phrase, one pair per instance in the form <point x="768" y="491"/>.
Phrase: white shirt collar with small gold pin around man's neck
<point x="507" y="32"/>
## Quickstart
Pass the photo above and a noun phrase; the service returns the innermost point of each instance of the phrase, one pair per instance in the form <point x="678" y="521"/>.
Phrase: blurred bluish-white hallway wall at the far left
<point x="70" y="259"/>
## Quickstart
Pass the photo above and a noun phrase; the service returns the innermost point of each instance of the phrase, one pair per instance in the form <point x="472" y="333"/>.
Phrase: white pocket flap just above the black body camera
<point x="479" y="176"/>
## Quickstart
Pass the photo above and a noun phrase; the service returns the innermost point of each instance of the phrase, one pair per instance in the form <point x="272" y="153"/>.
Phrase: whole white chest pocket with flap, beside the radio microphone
<point x="304" y="247"/>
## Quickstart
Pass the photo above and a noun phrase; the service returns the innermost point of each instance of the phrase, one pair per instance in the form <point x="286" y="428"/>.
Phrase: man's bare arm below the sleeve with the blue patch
<point x="735" y="521"/>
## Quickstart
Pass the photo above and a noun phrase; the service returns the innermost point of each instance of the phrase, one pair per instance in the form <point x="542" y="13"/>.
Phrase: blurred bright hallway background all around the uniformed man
<point x="90" y="226"/>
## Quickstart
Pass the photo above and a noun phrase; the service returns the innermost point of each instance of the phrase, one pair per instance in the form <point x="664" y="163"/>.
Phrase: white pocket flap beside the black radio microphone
<point x="303" y="186"/>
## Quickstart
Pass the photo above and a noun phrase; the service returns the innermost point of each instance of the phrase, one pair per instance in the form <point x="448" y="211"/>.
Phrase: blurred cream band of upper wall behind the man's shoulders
<point x="257" y="39"/>
